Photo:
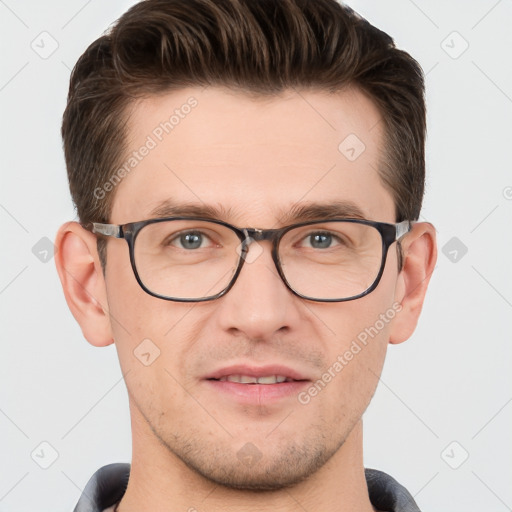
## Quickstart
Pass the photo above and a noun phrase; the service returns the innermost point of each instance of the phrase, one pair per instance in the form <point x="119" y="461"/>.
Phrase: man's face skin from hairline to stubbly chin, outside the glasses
<point x="252" y="160"/>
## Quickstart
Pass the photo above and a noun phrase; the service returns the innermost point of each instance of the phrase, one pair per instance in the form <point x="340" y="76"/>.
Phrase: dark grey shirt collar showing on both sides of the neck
<point x="108" y="485"/>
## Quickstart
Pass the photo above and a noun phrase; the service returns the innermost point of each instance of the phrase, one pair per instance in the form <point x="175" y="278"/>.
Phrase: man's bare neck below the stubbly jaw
<point x="161" y="481"/>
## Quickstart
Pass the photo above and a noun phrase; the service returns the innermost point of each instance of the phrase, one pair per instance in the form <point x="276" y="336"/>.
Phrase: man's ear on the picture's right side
<point x="419" y="259"/>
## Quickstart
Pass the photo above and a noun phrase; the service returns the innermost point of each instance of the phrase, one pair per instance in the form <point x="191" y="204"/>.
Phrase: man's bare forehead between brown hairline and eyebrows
<point x="252" y="159"/>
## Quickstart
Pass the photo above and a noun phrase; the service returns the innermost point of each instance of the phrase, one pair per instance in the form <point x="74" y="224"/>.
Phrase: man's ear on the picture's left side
<point x="83" y="282"/>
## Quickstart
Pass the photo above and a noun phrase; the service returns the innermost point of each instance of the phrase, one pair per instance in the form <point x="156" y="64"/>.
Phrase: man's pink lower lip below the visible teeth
<point x="258" y="393"/>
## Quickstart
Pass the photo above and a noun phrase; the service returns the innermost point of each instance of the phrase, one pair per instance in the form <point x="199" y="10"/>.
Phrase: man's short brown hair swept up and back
<point x="259" y="47"/>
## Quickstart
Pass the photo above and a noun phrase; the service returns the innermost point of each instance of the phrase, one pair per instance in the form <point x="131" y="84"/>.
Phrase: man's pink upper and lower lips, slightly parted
<point x="257" y="394"/>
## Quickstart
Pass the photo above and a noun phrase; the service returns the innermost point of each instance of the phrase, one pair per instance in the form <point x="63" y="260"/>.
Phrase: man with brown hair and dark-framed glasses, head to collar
<point x="264" y="163"/>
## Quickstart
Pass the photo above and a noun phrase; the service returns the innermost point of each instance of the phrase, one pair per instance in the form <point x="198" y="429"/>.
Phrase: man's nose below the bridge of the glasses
<point x="259" y="304"/>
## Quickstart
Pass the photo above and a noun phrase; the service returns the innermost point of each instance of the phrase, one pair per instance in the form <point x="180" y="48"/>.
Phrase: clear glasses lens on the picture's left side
<point x="186" y="259"/>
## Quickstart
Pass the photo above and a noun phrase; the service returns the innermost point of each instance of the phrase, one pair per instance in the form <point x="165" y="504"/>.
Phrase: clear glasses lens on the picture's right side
<point x="331" y="260"/>
